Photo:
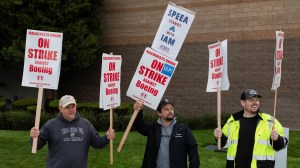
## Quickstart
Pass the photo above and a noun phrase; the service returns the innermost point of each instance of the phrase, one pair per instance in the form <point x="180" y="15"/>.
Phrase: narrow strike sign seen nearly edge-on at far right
<point x="278" y="56"/>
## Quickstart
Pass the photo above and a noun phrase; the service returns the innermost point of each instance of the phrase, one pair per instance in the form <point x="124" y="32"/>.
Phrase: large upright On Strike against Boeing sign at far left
<point x="42" y="59"/>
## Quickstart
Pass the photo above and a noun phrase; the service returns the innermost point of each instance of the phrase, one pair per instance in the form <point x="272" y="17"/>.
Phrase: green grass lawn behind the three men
<point x="15" y="151"/>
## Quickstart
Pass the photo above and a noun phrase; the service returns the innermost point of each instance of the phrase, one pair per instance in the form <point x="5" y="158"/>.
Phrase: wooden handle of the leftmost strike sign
<point x="37" y="118"/>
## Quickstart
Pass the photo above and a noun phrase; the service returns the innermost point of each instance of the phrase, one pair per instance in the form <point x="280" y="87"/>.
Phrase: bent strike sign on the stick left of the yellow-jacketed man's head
<point x="217" y="72"/>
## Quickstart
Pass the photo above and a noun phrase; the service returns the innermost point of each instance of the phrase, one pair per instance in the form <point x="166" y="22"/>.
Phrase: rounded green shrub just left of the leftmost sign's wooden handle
<point x="22" y="120"/>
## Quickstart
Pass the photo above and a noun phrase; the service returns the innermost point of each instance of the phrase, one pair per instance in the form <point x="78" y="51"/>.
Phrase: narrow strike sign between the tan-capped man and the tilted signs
<point x="110" y="93"/>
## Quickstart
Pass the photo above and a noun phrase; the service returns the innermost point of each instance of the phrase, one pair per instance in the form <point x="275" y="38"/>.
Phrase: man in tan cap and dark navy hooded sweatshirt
<point x="69" y="137"/>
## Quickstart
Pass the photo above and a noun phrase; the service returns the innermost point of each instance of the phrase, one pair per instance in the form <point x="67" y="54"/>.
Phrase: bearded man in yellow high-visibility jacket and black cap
<point x="250" y="134"/>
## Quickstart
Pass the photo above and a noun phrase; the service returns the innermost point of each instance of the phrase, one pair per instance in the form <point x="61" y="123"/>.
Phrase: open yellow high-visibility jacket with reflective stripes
<point x="263" y="150"/>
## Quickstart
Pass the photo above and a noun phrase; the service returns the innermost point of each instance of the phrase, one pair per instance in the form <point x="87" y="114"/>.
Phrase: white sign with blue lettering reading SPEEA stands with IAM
<point x="173" y="30"/>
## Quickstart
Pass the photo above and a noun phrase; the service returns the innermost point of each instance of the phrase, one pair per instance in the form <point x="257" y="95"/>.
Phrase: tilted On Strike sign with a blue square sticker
<point x="151" y="78"/>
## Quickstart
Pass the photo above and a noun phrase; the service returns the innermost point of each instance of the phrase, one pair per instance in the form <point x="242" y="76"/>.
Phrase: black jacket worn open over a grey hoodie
<point x="182" y="143"/>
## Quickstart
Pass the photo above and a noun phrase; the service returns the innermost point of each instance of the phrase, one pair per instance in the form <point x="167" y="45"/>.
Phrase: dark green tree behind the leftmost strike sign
<point x="79" y="21"/>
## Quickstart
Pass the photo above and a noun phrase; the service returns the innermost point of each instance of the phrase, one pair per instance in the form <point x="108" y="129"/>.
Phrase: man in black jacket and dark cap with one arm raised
<point x="169" y="143"/>
